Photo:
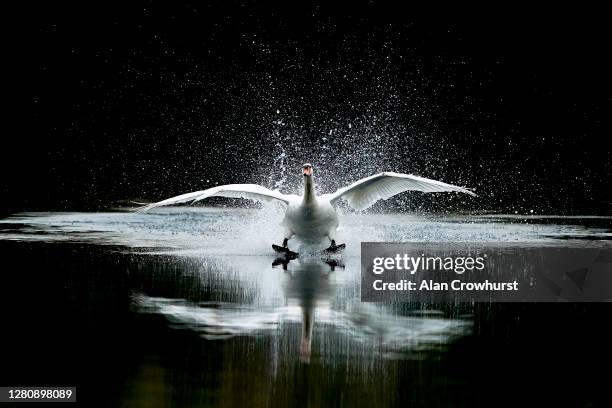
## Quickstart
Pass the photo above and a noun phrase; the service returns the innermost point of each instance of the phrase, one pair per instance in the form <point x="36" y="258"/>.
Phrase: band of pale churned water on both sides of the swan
<point x="231" y="231"/>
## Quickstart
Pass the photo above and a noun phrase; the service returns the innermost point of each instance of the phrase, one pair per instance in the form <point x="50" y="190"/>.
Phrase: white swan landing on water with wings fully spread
<point x="313" y="218"/>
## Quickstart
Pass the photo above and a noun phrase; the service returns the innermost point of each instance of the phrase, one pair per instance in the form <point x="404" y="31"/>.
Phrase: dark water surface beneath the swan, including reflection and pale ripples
<point x="105" y="303"/>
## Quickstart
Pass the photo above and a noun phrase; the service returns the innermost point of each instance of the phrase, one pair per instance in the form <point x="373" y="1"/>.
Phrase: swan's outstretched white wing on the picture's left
<point x="248" y="191"/>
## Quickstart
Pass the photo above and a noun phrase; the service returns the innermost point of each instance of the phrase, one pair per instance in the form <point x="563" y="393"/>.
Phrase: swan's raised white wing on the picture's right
<point x="367" y="191"/>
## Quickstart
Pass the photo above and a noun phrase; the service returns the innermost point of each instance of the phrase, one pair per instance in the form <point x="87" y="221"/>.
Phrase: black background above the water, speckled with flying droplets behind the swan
<point x="109" y="102"/>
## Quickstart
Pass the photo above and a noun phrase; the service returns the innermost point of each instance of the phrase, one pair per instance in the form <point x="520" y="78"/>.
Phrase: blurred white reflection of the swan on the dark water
<point x="319" y="297"/>
